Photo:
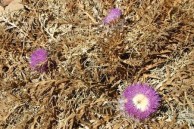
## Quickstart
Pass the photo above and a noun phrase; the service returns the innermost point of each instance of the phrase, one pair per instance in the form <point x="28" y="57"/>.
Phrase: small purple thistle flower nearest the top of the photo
<point x="113" y="14"/>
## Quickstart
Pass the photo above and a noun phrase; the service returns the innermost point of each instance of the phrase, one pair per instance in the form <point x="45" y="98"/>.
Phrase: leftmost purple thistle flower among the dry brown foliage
<point x="38" y="60"/>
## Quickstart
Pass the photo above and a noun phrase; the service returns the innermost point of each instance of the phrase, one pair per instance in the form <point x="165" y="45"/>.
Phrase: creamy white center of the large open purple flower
<point x="141" y="102"/>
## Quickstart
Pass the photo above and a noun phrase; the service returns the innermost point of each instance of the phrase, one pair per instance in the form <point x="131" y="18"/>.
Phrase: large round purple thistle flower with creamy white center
<point x="140" y="100"/>
